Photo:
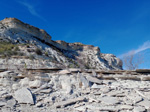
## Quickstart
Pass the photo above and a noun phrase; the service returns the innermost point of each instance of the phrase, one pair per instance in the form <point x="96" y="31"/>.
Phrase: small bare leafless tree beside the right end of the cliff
<point x="132" y="60"/>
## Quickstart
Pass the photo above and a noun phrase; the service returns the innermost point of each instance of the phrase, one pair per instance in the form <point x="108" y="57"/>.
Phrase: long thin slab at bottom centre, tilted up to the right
<point x="69" y="102"/>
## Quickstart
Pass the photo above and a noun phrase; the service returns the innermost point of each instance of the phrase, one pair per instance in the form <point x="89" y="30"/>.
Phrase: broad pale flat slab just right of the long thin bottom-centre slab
<point x="109" y="100"/>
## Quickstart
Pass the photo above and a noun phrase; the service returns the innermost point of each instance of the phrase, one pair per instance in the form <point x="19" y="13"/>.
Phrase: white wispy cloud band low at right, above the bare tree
<point x="144" y="46"/>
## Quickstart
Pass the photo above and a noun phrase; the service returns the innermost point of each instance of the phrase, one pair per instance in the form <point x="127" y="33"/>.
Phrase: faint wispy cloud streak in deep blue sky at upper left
<point x="31" y="8"/>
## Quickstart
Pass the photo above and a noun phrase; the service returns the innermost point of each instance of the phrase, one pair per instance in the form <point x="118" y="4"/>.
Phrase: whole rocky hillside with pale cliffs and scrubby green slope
<point x="31" y="47"/>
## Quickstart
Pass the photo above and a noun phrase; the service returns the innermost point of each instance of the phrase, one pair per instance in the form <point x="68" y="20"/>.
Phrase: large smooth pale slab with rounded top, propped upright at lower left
<point x="24" y="95"/>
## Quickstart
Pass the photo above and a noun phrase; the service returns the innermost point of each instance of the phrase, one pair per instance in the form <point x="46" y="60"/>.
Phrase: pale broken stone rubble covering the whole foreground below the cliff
<point x="75" y="91"/>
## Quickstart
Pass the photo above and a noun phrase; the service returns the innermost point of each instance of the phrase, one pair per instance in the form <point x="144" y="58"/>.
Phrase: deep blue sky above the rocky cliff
<point x="116" y="26"/>
